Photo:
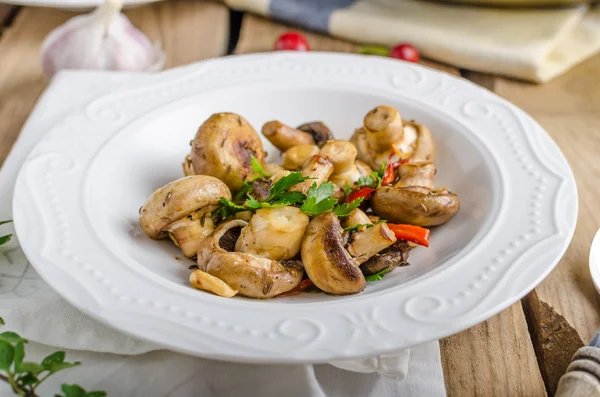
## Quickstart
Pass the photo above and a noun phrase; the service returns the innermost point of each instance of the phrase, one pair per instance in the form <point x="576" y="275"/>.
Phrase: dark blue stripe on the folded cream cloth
<point x="311" y="14"/>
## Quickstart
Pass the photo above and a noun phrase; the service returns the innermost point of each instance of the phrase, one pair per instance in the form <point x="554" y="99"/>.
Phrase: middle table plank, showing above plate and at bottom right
<point x="494" y="358"/>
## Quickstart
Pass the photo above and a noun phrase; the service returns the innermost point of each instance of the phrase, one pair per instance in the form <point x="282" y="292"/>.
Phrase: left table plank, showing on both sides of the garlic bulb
<point x="189" y="31"/>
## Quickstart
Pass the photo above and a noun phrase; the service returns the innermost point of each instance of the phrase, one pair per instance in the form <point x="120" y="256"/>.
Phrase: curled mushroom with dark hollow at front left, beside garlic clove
<point x="252" y="276"/>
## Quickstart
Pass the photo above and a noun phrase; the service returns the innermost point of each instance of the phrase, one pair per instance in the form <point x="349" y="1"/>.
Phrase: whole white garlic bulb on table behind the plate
<point x="104" y="39"/>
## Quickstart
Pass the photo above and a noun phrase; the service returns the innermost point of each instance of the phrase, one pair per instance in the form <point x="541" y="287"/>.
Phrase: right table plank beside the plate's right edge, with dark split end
<point x="569" y="109"/>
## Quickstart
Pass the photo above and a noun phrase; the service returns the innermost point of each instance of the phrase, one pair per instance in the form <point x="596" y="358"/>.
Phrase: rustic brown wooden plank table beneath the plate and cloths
<point x="520" y="352"/>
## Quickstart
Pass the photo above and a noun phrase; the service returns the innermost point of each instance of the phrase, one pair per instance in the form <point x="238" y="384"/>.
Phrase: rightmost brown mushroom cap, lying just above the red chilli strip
<point x="415" y="205"/>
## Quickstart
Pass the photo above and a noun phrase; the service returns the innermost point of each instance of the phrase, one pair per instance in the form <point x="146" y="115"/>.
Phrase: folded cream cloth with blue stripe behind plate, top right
<point x="531" y="44"/>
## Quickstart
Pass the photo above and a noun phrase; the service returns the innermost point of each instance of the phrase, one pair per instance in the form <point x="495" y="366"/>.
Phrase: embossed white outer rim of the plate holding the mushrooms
<point x="325" y="335"/>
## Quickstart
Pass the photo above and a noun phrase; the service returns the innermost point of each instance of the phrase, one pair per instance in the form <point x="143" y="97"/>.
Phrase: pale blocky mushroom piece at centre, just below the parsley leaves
<point x="274" y="233"/>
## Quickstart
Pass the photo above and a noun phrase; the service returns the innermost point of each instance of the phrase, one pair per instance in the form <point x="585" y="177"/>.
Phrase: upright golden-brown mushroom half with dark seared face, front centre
<point x="326" y="261"/>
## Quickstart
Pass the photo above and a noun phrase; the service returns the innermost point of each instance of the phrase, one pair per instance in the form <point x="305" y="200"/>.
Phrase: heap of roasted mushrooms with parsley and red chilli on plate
<point x="332" y="216"/>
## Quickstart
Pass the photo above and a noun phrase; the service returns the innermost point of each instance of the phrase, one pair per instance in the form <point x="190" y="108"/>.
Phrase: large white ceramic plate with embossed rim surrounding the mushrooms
<point x="78" y="194"/>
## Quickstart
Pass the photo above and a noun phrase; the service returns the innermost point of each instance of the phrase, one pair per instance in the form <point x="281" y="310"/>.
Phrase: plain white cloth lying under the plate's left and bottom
<point x="126" y="366"/>
